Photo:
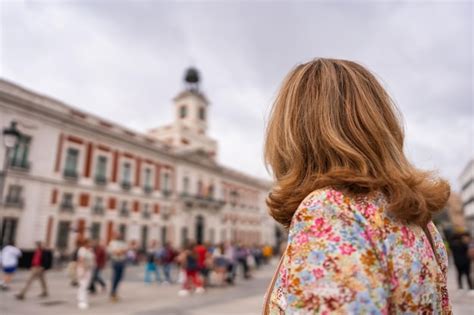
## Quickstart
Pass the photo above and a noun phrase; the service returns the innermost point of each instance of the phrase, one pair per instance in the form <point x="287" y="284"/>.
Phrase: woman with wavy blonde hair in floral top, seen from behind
<point x="361" y="240"/>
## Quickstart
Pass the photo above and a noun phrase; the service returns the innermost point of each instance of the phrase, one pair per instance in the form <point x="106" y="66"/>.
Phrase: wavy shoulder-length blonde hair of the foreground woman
<point x="333" y="125"/>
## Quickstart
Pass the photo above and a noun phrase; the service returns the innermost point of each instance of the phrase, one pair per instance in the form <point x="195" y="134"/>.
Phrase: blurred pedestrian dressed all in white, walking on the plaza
<point x="84" y="267"/>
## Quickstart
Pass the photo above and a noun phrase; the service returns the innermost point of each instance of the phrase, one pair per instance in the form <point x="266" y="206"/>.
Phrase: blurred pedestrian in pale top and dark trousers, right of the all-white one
<point x="117" y="250"/>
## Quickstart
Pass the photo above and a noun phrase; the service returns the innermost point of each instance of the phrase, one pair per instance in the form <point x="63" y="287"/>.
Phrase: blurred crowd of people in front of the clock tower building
<point x="194" y="267"/>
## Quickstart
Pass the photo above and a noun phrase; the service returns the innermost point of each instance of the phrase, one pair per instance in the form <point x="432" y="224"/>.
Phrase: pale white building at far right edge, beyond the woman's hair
<point x="466" y="181"/>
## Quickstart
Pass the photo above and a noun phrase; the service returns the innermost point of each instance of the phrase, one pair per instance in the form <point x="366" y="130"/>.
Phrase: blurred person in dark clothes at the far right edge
<point x="459" y="248"/>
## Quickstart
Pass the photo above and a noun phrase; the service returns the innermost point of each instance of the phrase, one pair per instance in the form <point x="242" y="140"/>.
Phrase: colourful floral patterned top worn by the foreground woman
<point x="347" y="255"/>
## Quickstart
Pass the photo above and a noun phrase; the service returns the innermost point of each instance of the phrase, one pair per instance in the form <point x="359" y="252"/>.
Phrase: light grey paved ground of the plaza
<point x="245" y="298"/>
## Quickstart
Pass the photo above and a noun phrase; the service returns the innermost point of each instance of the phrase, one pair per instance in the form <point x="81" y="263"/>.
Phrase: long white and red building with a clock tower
<point x="74" y="175"/>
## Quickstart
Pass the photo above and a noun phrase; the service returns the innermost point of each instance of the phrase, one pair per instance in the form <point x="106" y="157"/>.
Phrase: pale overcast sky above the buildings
<point x="125" y="61"/>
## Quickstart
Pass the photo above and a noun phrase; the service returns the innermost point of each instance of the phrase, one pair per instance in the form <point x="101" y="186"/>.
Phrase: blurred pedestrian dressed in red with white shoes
<point x="192" y="280"/>
